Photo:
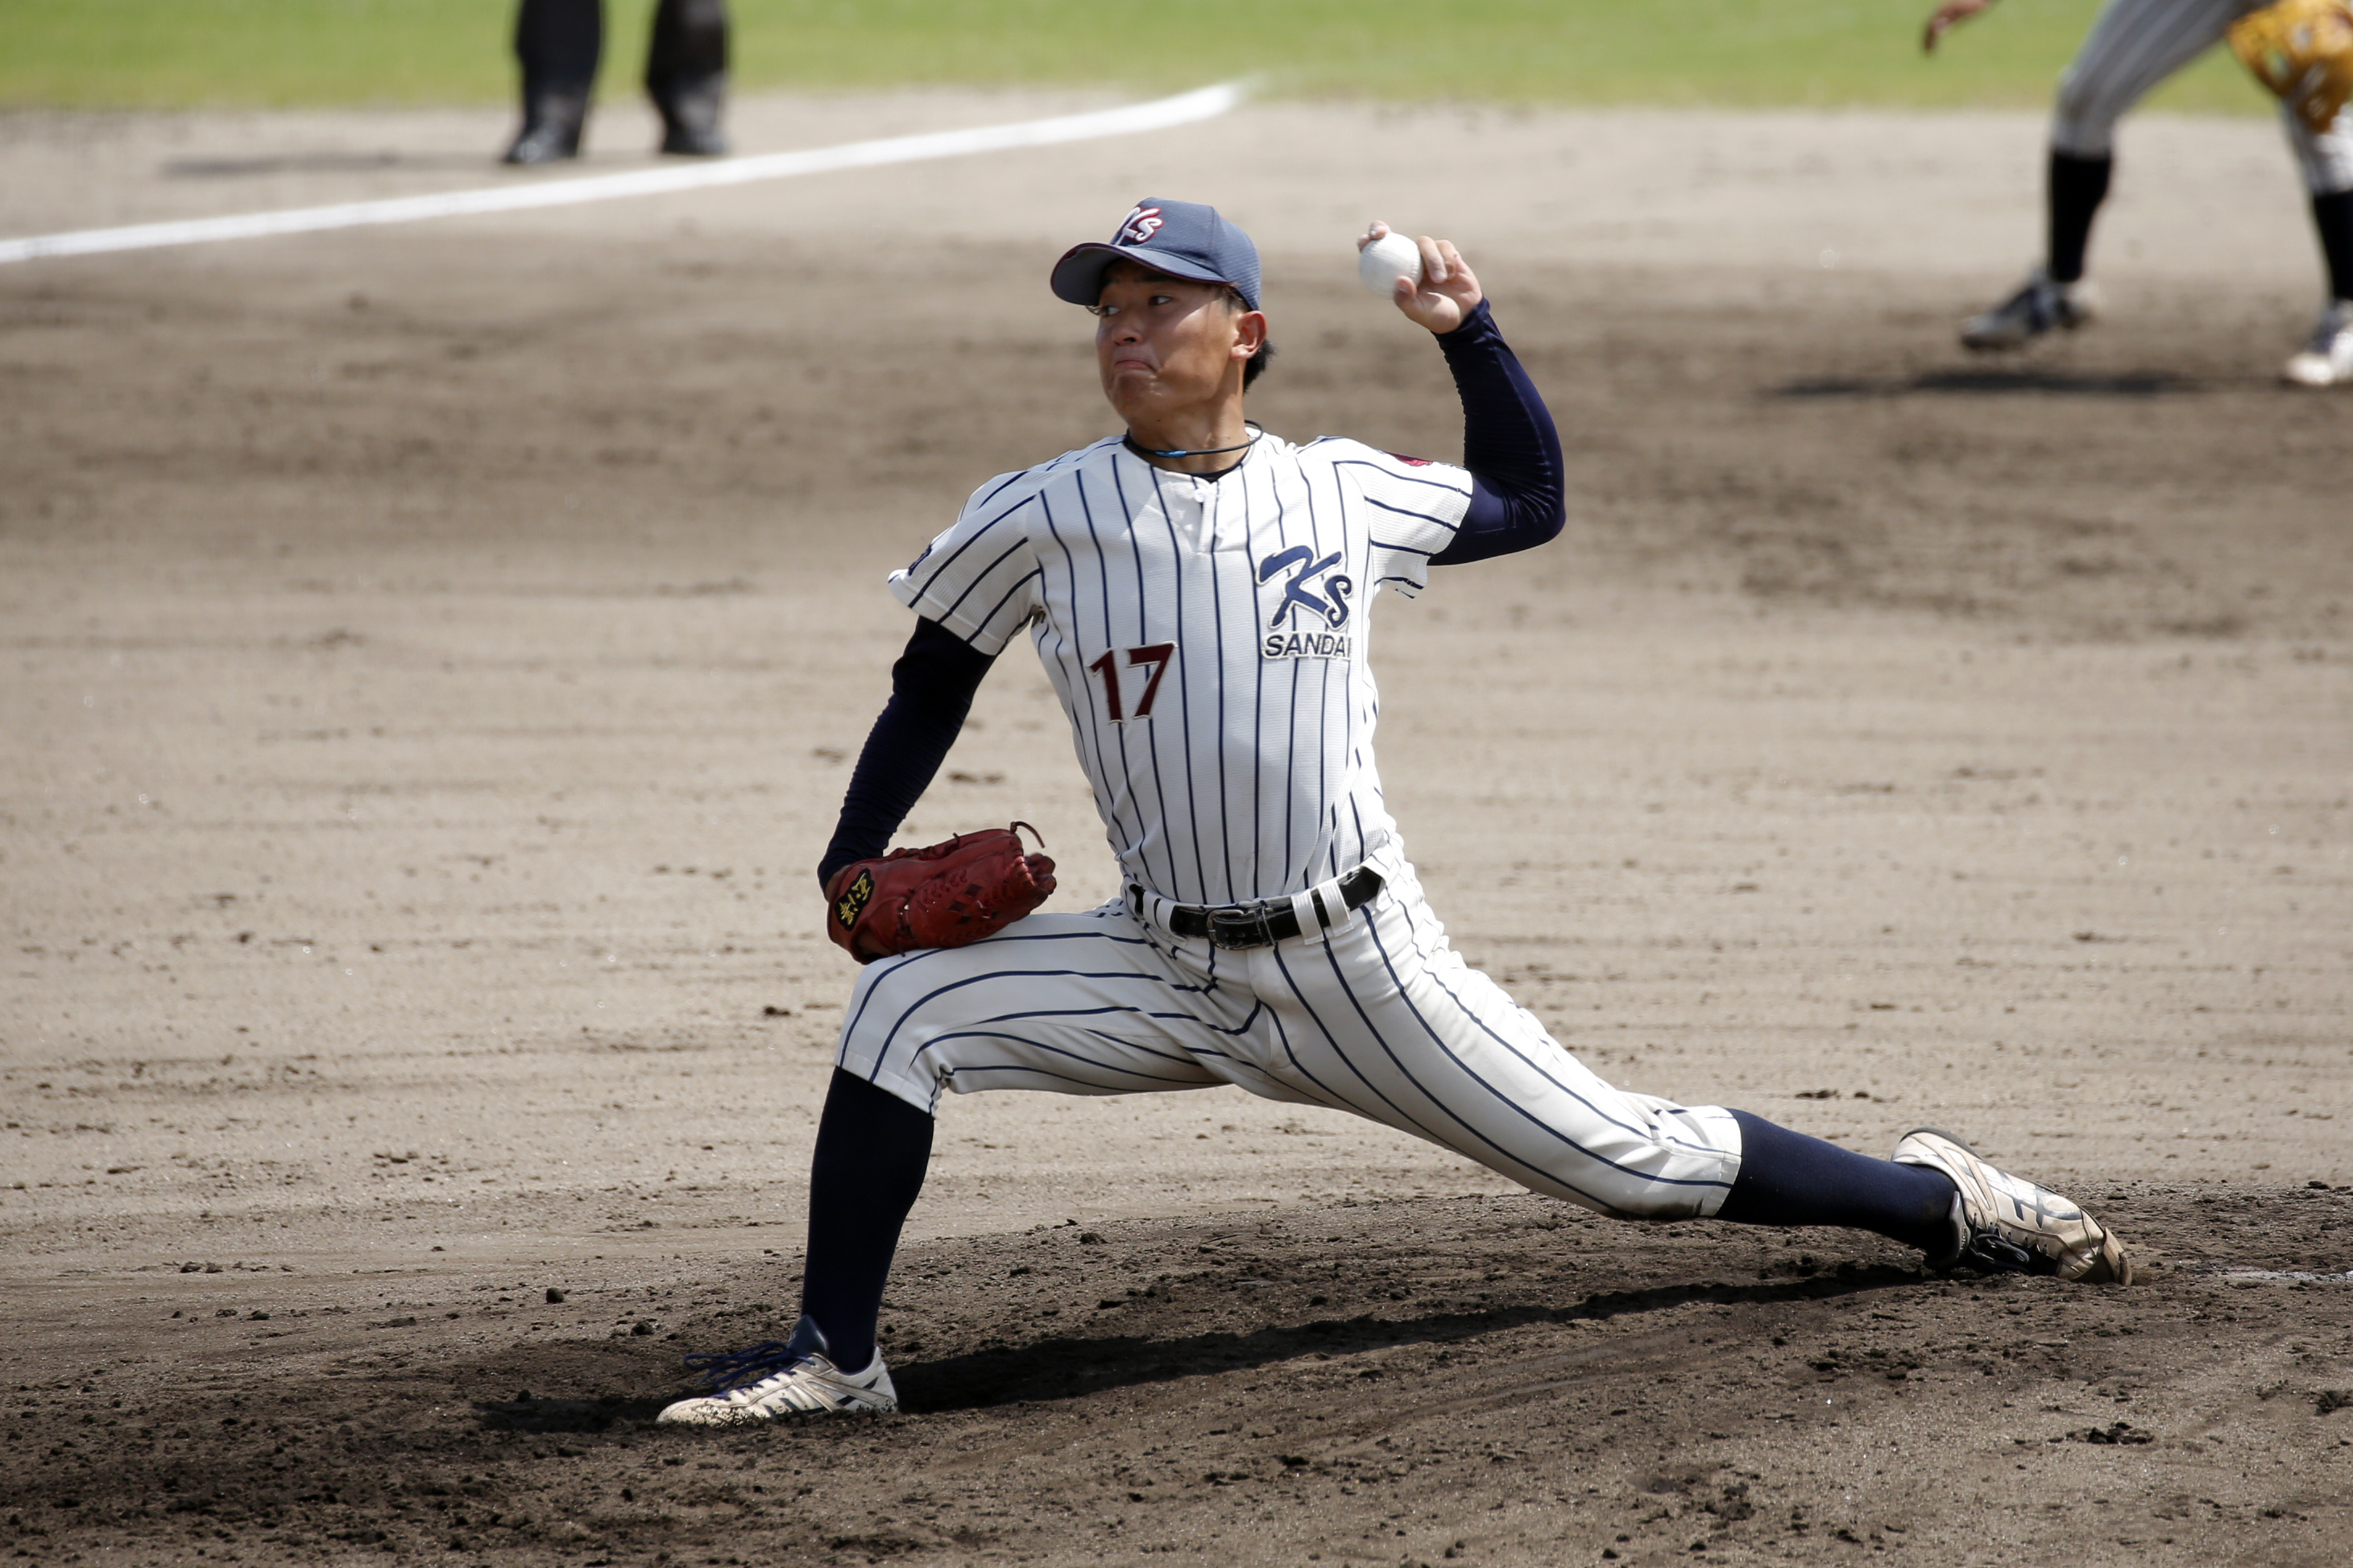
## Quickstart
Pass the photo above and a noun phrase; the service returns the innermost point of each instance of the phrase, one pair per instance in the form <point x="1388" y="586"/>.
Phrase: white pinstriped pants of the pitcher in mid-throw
<point x="1378" y="1017"/>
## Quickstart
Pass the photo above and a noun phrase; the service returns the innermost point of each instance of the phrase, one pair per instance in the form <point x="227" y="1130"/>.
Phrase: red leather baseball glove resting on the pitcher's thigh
<point x="935" y="897"/>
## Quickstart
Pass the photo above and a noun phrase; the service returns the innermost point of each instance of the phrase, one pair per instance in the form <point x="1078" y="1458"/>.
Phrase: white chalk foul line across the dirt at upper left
<point x="1159" y="114"/>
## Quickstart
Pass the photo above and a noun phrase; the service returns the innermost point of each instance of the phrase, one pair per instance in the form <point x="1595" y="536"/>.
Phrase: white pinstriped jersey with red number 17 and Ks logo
<point x="1208" y="641"/>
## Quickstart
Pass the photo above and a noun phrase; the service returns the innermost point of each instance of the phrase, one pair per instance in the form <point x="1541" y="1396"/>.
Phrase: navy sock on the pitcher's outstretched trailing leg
<point x="1789" y="1179"/>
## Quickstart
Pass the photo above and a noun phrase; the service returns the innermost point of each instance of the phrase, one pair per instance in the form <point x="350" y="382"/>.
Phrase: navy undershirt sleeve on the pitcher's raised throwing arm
<point x="1509" y="448"/>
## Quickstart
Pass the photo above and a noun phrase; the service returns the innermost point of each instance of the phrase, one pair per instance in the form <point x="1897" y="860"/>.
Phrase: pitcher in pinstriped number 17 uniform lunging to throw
<point x="1199" y="594"/>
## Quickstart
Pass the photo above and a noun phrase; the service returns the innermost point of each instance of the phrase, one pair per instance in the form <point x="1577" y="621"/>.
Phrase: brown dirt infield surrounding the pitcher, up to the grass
<point x="432" y="662"/>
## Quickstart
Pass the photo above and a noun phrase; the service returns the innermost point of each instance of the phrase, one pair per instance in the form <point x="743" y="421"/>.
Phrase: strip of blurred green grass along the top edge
<point x="1733" y="53"/>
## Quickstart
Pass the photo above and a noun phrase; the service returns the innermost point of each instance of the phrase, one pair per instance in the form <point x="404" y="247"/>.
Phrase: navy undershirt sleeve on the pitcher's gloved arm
<point x="931" y="692"/>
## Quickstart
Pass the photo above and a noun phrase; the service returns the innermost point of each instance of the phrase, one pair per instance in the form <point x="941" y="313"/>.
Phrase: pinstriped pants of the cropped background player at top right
<point x="2135" y="46"/>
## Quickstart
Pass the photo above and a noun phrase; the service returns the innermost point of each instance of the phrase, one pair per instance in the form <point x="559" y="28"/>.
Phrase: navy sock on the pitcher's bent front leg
<point x="872" y="1155"/>
